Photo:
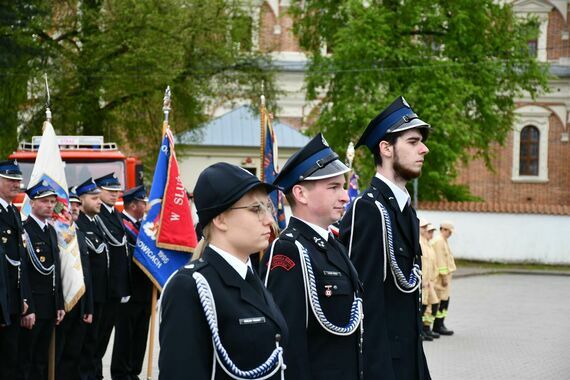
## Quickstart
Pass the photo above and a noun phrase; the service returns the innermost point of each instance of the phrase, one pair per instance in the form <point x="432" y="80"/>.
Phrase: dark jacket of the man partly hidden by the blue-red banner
<point x="141" y="284"/>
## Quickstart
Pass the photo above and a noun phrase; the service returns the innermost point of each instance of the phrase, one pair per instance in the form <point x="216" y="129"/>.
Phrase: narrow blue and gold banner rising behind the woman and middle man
<point x="269" y="158"/>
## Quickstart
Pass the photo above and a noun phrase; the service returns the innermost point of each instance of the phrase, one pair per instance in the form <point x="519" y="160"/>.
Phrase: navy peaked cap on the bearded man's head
<point x="397" y="117"/>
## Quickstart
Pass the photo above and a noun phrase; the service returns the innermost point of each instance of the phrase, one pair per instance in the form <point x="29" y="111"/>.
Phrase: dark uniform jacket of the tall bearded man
<point x="392" y="323"/>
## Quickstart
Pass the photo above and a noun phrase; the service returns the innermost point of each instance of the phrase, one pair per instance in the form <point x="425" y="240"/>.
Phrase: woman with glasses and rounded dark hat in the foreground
<point x="217" y="319"/>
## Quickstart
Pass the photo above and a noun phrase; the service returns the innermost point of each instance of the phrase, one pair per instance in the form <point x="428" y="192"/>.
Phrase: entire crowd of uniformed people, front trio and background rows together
<point x="338" y="294"/>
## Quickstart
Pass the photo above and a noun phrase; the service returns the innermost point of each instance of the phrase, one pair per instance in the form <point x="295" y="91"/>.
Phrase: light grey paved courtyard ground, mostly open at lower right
<point x="506" y="327"/>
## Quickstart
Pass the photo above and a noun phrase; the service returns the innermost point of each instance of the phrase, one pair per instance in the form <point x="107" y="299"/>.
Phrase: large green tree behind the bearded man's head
<point x="459" y="63"/>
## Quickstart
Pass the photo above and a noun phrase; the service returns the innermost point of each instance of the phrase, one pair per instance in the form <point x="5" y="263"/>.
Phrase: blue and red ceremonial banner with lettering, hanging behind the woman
<point x="167" y="232"/>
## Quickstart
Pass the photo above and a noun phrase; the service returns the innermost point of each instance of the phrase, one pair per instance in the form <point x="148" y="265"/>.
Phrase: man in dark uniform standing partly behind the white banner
<point x="70" y="334"/>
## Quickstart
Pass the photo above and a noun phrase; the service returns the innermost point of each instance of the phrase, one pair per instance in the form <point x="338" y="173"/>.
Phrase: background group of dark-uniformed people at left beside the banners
<point x="117" y="294"/>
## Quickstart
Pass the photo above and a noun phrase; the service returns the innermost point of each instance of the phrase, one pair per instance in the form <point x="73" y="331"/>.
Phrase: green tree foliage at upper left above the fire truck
<point x="109" y="62"/>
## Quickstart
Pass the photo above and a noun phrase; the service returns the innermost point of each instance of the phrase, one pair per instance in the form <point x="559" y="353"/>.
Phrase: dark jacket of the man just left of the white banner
<point x="46" y="291"/>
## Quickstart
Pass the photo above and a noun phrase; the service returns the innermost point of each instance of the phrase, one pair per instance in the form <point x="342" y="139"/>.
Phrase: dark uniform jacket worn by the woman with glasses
<point x="247" y="322"/>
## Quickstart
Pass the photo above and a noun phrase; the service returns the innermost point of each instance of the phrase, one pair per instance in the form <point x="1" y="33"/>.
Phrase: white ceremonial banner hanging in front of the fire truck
<point x="49" y="168"/>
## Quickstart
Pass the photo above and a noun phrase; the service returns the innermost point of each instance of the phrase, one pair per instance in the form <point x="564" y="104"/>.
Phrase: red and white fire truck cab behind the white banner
<point x="83" y="157"/>
